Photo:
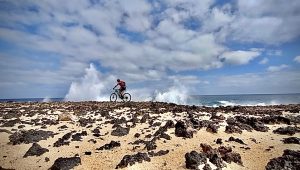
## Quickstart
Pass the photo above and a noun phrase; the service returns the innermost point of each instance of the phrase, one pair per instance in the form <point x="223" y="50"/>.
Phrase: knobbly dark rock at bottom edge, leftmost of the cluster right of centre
<point x="194" y="159"/>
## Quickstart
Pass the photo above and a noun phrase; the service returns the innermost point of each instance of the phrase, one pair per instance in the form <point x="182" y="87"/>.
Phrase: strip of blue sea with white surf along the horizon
<point x="211" y="100"/>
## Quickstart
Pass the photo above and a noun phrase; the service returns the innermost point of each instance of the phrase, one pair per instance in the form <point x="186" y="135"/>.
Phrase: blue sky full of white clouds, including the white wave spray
<point x="78" y="48"/>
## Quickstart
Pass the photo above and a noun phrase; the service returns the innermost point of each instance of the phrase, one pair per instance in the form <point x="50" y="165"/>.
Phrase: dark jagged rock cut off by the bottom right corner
<point x="289" y="160"/>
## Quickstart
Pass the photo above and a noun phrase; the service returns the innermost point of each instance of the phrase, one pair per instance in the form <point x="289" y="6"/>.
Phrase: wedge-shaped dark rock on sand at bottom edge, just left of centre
<point x="132" y="159"/>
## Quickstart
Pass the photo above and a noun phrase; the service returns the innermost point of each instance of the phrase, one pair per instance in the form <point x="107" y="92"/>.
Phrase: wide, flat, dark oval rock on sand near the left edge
<point x="29" y="136"/>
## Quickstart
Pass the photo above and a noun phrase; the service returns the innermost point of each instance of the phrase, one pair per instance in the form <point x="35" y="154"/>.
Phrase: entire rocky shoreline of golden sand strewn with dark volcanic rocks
<point x="147" y="135"/>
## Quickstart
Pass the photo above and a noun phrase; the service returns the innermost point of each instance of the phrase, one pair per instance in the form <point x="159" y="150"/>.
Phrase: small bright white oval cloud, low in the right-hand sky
<point x="239" y="57"/>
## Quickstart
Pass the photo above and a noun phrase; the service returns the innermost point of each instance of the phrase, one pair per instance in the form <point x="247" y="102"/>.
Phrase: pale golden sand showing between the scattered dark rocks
<point x="257" y="157"/>
